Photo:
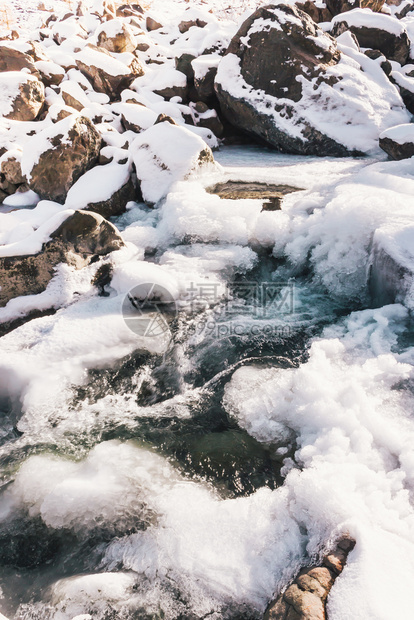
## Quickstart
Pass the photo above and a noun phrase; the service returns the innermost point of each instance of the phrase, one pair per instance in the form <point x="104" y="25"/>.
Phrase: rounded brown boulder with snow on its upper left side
<point x="57" y="156"/>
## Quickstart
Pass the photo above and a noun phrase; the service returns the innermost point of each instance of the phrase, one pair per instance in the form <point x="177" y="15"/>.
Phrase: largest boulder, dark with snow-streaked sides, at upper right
<point x="284" y="80"/>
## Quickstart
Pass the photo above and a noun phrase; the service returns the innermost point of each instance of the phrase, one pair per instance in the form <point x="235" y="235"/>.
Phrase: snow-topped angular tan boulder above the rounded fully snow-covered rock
<point x="106" y="73"/>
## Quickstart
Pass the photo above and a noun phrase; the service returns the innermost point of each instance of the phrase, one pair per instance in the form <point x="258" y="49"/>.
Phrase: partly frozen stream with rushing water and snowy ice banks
<point x="192" y="477"/>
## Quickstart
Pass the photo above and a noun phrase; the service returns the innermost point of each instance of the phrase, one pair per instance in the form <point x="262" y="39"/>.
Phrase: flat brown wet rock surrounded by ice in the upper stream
<point x="272" y="195"/>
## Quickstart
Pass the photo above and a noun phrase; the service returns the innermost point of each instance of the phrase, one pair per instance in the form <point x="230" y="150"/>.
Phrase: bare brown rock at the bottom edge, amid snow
<point x="306" y="597"/>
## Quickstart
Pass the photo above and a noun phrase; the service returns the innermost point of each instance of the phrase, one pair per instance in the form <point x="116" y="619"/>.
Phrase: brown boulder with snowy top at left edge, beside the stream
<point x="78" y="240"/>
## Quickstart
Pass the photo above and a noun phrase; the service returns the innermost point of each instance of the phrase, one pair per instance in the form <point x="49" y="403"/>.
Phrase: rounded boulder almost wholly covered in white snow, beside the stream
<point x="164" y="154"/>
